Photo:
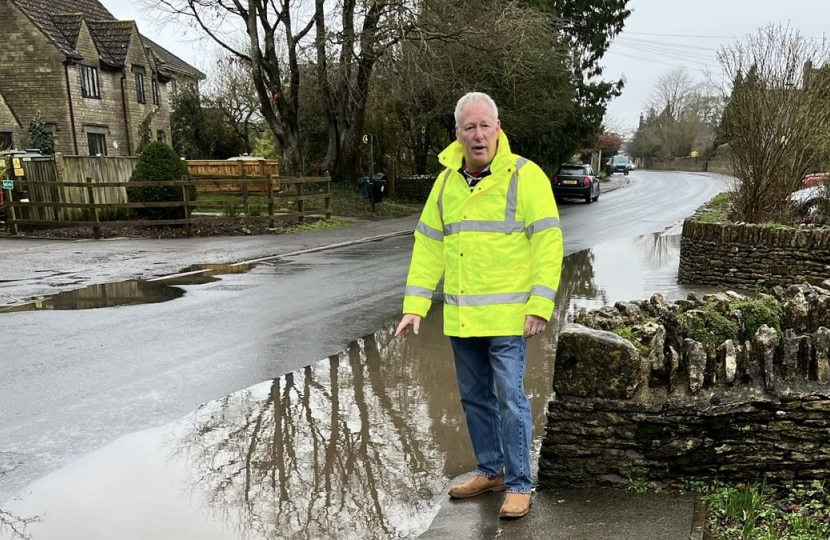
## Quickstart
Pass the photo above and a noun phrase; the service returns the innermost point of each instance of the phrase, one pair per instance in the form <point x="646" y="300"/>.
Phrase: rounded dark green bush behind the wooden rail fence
<point x="159" y="163"/>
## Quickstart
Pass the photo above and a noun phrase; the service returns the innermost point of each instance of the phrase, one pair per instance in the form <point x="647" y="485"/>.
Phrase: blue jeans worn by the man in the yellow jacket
<point x="490" y="373"/>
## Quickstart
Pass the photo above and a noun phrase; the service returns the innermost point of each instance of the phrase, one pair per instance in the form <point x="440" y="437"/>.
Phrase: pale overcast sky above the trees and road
<point x="660" y="36"/>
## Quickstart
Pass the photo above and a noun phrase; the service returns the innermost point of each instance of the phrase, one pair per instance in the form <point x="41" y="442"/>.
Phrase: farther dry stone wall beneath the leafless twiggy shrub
<point x="745" y="255"/>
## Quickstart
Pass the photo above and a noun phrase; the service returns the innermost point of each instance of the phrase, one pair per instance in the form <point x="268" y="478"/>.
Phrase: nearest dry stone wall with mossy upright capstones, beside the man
<point x="661" y="406"/>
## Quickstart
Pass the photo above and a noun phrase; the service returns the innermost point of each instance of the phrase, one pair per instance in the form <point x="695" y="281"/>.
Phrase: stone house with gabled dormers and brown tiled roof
<point x="99" y="84"/>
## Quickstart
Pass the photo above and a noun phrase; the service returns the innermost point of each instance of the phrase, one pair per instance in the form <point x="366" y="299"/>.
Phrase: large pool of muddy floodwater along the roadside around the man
<point x="360" y="445"/>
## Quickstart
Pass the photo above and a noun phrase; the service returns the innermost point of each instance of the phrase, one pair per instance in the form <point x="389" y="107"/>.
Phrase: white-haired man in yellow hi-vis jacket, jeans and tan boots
<point x="491" y="228"/>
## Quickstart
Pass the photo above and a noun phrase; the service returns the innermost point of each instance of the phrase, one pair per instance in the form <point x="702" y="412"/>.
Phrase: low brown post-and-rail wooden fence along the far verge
<point x="253" y="190"/>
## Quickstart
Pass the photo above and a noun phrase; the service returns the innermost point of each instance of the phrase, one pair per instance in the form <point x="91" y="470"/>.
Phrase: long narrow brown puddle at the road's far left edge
<point x="100" y="296"/>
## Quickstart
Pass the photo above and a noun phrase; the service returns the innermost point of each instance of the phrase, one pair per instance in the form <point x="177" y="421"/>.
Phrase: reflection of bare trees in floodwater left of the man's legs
<point x="341" y="449"/>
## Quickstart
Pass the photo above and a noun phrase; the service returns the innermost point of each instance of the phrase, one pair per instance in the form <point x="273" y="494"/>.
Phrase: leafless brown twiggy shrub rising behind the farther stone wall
<point x="778" y="117"/>
